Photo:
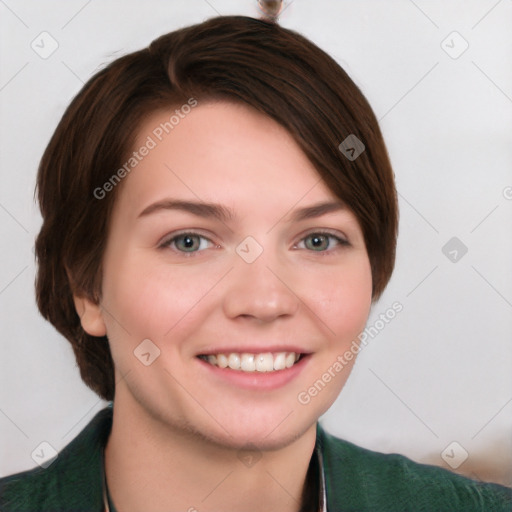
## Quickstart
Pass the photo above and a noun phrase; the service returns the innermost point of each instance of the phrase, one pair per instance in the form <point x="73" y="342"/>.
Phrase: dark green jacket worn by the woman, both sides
<point x="356" y="480"/>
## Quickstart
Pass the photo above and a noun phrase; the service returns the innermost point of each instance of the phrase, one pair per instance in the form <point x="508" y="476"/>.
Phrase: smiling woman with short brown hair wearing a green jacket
<point x="219" y="212"/>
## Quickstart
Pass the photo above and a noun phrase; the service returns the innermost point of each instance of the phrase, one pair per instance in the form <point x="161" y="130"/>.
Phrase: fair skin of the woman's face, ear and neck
<point x="181" y="424"/>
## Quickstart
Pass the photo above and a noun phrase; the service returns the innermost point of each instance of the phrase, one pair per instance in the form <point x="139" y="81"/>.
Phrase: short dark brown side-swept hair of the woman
<point x="272" y="69"/>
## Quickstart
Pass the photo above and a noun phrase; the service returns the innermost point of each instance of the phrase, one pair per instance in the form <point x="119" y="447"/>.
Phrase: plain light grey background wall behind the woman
<point x="441" y="370"/>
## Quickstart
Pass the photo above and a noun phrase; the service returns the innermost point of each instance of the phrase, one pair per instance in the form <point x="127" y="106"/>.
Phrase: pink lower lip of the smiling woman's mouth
<point x="259" y="381"/>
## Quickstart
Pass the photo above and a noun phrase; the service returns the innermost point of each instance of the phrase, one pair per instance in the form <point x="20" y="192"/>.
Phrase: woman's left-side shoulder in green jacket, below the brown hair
<point x="72" y="482"/>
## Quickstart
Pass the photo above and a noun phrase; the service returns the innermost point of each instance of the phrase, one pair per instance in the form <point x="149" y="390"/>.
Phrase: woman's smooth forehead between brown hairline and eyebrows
<point x="221" y="152"/>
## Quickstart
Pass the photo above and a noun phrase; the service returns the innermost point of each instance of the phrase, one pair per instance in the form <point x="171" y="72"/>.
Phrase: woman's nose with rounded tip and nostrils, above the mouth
<point x="261" y="290"/>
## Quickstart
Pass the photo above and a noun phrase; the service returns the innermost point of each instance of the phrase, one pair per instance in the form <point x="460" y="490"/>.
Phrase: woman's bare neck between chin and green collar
<point x="152" y="467"/>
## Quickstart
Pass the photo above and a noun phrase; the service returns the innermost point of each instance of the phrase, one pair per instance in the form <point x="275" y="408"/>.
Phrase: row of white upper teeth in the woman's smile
<point x="264" y="362"/>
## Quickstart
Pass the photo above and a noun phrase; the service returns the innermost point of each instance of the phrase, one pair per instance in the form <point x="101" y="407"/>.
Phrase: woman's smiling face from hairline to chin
<point x="225" y="242"/>
